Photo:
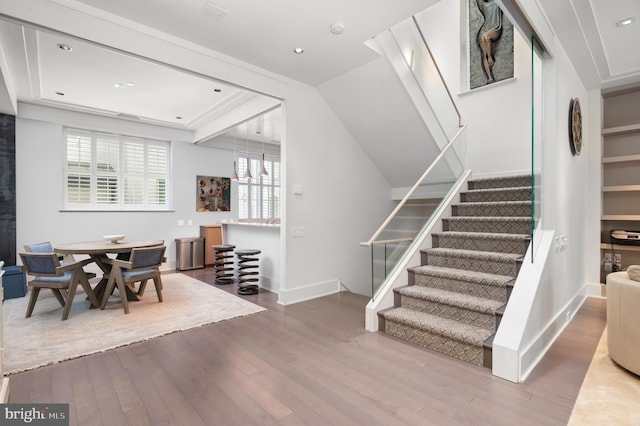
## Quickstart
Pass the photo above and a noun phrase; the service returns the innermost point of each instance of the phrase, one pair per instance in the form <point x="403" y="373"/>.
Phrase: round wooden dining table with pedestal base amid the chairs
<point x="99" y="251"/>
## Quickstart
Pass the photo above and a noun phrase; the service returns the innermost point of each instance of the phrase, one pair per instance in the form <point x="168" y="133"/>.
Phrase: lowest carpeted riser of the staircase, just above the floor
<point x="462" y="351"/>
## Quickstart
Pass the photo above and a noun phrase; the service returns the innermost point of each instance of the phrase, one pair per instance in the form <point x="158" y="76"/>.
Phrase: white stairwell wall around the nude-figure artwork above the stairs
<point x="497" y="115"/>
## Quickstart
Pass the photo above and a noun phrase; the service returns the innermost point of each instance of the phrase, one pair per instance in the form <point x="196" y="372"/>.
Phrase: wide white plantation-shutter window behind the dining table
<point x="114" y="172"/>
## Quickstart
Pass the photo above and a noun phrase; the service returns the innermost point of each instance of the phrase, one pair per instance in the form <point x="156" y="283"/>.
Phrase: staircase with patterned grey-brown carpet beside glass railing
<point x="455" y="298"/>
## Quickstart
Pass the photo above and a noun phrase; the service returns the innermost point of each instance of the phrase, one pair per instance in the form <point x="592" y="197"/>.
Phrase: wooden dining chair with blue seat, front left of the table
<point x="49" y="273"/>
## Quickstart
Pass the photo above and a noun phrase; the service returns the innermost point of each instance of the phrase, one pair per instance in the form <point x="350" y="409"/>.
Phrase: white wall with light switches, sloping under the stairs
<point x="343" y="202"/>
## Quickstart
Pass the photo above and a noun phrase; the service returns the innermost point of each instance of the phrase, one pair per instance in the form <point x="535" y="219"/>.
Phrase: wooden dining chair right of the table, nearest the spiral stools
<point x="143" y="265"/>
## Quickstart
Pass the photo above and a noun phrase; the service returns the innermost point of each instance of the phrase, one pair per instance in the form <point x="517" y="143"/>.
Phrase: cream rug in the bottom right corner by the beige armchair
<point x="609" y="394"/>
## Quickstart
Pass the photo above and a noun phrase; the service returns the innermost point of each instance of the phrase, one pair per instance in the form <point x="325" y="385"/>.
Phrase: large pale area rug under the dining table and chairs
<point x="44" y="339"/>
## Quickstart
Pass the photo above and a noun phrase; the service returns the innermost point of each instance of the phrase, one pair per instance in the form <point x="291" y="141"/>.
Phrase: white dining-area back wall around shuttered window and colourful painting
<point x="40" y="184"/>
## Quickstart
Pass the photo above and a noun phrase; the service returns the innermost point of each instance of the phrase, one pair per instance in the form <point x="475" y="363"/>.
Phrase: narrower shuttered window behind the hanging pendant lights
<point x="259" y="197"/>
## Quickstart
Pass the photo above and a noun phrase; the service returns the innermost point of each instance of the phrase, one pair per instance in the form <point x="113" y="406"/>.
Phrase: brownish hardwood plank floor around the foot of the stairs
<point x="310" y="363"/>
